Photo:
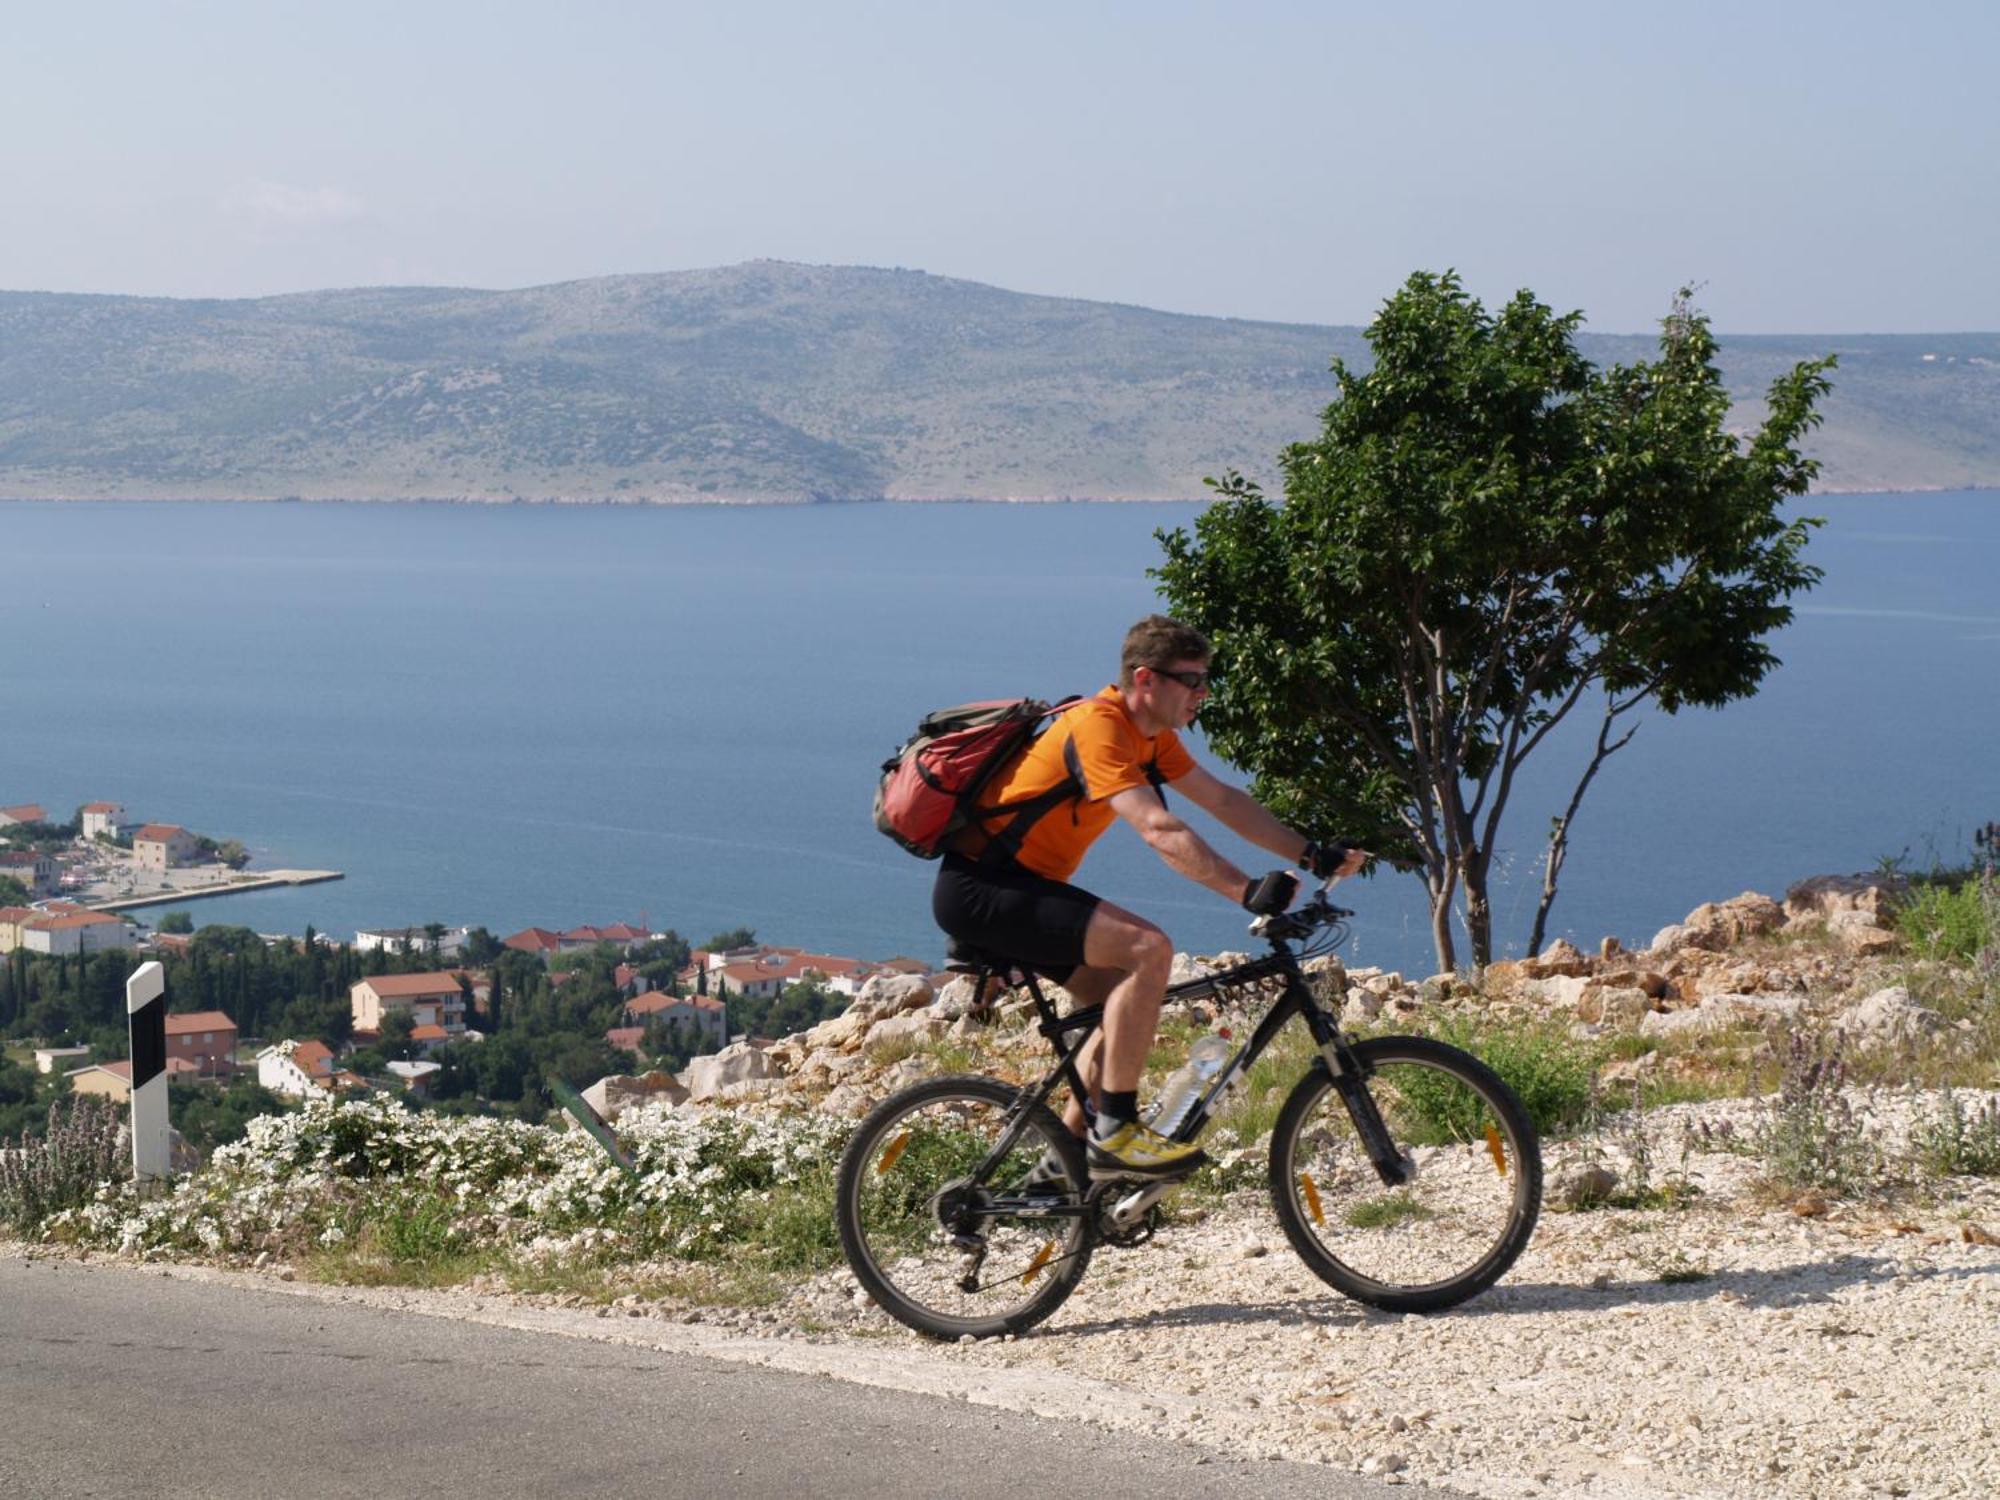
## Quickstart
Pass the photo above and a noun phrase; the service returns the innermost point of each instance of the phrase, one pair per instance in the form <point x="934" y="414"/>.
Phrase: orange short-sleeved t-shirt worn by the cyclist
<point x="1097" y="743"/>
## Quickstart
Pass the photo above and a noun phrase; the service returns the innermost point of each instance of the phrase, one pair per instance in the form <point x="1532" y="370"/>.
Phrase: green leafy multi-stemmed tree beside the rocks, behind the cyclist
<point x="1487" y="535"/>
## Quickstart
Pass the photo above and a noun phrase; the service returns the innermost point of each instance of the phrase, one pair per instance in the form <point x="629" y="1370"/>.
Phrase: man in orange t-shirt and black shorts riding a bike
<point x="1005" y="883"/>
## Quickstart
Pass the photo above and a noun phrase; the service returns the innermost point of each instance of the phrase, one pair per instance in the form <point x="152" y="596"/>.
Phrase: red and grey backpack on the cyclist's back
<point x="931" y="785"/>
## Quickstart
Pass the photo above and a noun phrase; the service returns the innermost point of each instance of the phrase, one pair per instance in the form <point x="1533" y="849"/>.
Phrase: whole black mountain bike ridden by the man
<point x="1405" y="1171"/>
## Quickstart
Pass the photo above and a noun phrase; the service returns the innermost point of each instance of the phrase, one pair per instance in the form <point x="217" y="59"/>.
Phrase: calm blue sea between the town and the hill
<point x="561" y="715"/>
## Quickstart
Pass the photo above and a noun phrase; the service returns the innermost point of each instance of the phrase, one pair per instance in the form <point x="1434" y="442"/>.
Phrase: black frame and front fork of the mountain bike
<point x="1337" y="1055"/>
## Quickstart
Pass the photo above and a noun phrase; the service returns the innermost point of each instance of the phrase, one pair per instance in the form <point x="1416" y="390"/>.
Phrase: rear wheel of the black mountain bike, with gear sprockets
<point x="945" y="1247"/>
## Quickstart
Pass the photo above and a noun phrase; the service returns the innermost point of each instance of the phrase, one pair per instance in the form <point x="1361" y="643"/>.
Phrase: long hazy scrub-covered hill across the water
<point x="781" y="383"/>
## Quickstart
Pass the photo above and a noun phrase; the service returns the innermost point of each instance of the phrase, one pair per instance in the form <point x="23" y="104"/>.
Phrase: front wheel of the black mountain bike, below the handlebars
<point x="1469" y="1201"/>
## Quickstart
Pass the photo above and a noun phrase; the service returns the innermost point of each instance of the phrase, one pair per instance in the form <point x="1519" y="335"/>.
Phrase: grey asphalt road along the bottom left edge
<point x="127" y="1383"/>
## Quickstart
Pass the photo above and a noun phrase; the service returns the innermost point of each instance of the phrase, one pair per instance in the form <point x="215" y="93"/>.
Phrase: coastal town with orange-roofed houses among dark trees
<point x="403" y="1005"/>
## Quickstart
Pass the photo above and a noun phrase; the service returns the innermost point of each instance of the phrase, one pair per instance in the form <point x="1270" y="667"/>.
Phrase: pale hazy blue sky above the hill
<point x="1813" y="167"/>
